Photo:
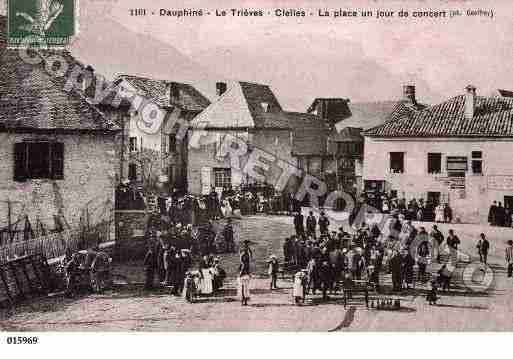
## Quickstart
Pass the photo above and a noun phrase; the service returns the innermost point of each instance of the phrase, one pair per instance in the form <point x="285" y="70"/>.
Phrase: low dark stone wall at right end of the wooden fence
<point x="130" y="239"/>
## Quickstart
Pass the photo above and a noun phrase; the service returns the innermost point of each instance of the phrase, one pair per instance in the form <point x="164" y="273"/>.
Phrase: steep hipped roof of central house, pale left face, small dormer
<point x="242" y="106"/>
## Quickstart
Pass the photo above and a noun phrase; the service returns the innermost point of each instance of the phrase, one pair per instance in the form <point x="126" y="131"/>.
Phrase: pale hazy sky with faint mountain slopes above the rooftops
<point x="363" y="59"/>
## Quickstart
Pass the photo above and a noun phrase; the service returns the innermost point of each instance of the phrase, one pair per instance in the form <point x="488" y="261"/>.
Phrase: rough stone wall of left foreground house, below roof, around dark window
<point x="90" y="167"/>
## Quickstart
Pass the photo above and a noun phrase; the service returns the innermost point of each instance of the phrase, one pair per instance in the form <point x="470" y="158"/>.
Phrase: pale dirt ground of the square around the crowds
<point x="130" y="308"/>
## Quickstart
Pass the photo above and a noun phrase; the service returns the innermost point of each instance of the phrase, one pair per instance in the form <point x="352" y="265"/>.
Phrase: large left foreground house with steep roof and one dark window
<point x="58" y="151"/>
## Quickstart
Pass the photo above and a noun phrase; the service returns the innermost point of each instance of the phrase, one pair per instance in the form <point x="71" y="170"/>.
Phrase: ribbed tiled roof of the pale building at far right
<point x="493" y="117"/>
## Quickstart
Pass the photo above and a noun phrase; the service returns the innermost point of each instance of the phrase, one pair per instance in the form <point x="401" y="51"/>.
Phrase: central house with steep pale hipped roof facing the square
<point x="247" y="111"/>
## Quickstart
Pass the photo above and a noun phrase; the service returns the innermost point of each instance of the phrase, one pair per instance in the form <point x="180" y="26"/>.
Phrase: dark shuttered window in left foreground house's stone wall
<point x="38" y="160"/>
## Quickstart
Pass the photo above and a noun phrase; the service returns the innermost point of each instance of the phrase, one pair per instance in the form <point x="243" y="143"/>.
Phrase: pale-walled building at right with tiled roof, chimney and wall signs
<point x="454" y="152"/>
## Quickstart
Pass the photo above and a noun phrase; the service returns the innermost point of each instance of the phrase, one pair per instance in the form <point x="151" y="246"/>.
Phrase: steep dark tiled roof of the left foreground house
<point x="32" y="99"/>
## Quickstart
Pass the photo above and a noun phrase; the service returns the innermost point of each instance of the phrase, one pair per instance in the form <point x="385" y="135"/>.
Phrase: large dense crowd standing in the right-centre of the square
<point x="328" y="260"/>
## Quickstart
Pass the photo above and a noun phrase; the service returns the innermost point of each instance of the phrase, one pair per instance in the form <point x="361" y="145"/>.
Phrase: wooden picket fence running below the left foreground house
<point x="54" y="245"/>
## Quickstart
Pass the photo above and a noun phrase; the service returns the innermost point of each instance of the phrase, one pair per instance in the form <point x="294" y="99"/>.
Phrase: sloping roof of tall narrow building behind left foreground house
<point x="158" y="91"/>
